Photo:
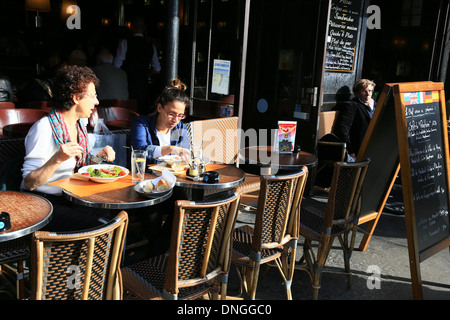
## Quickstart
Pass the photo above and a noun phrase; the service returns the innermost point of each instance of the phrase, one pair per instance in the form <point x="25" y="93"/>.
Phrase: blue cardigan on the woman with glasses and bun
<point x="143" y="135"/>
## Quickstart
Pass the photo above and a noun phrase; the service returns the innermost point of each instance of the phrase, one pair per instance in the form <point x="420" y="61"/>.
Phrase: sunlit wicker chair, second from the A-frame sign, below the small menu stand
<point x="275" y="235"/>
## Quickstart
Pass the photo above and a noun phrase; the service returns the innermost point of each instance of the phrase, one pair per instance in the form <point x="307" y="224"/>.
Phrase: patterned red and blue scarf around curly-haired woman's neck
<point x="61" y="135"/>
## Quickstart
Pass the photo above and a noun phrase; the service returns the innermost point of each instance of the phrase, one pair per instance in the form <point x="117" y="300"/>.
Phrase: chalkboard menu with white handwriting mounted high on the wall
<point x="343" y="35"/>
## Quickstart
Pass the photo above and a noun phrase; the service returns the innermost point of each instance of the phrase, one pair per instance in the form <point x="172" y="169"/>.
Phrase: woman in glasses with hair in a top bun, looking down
<point x="163" y="132"/>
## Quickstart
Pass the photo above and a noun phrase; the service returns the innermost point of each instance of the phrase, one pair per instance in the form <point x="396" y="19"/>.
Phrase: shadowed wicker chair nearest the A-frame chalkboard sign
<point x="338" y="218"/>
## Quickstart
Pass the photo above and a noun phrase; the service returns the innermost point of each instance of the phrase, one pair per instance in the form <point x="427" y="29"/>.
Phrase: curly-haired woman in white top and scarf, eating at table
<point x="57" y="144"/>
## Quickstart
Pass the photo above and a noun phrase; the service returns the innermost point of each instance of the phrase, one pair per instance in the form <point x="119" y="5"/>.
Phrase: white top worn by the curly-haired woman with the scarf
<point x="39" y="148"/>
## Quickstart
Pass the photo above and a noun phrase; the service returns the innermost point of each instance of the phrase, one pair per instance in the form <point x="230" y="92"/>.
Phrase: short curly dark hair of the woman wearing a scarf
<point x="70" y="81"/>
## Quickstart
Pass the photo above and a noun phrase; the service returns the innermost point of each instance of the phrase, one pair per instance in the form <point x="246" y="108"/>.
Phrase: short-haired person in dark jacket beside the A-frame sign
<point x="354" y="116"/>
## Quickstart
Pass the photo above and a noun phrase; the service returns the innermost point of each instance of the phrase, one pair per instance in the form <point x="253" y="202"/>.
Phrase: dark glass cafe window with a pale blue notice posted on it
<point x="216" y="56"/>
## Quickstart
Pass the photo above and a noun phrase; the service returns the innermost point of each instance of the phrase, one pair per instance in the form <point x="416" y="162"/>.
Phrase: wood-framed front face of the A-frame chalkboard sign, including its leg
<point x="424" y="160"/>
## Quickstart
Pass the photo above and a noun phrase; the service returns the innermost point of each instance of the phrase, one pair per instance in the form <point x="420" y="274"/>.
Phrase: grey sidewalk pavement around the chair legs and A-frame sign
<point x="387" y="250"/>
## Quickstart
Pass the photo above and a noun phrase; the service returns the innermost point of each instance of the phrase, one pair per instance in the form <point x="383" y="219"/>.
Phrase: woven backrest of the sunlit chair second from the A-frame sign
<point x="278" y="212"/>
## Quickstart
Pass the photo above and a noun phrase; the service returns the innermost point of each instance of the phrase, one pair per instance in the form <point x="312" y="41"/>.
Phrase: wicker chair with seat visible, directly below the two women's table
<point x="198" y="259"/>
